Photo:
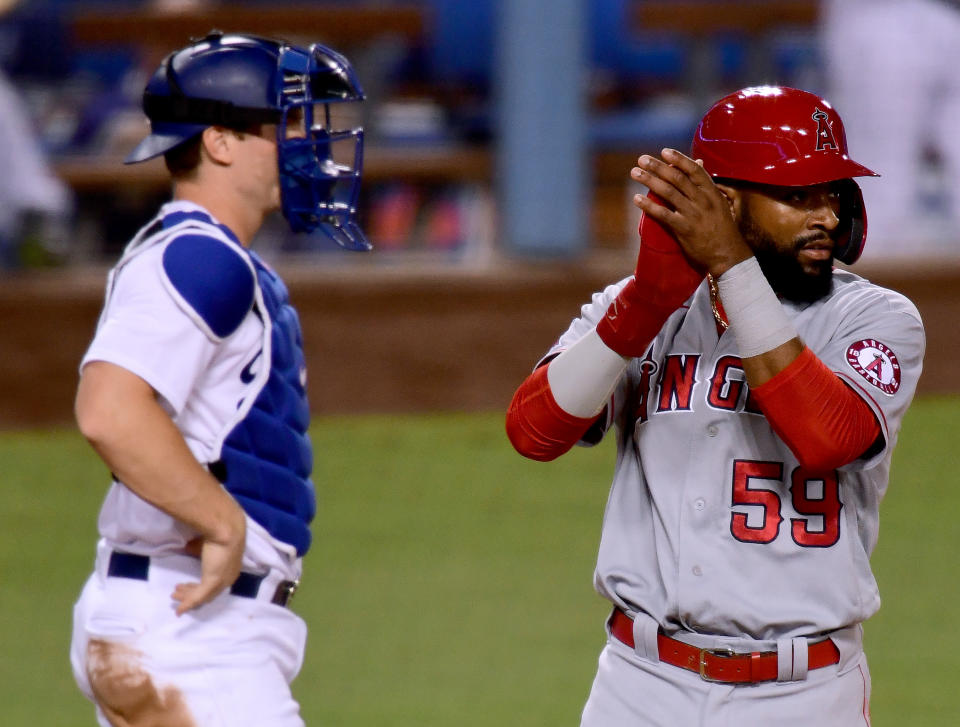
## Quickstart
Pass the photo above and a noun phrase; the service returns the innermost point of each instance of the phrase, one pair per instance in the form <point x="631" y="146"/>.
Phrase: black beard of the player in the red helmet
<point x="788" y="277"/>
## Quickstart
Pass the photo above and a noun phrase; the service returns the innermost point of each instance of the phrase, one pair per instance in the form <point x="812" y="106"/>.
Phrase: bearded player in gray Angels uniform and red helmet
<point x="756" y="394"/>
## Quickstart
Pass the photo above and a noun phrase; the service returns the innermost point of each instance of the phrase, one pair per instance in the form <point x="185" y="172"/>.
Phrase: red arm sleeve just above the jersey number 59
<point x="825" y="424"/>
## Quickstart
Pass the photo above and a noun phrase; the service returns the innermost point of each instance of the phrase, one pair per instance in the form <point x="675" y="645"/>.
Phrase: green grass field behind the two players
<point x="450" y="583"/>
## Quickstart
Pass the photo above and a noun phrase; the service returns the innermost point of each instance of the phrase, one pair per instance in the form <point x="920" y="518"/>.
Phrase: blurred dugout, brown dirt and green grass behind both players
<point x="452" y="577"/>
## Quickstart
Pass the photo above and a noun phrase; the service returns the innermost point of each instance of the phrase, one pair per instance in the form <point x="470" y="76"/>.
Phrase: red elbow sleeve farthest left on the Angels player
<point x="536" y="425"/>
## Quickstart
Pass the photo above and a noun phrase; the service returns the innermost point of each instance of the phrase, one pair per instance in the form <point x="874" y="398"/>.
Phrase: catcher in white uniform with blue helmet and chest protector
<point x="193" y="392"/>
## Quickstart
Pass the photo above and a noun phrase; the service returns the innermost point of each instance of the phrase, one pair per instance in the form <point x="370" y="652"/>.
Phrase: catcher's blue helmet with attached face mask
<point x="238" y="80"/>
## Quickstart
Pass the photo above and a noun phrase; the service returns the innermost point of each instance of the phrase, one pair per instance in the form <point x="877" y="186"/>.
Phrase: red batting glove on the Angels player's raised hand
<point x="663" y="280"/>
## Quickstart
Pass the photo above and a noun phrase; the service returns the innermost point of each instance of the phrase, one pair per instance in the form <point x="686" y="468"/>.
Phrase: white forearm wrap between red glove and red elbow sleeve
<point x="582" y="377"/>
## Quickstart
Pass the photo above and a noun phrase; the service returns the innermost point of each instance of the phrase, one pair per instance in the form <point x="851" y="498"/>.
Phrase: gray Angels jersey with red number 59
<point x="712" y="526"/>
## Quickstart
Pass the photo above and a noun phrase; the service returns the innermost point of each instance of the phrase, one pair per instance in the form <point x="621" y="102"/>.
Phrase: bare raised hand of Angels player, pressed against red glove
<point x="696" y="211"/>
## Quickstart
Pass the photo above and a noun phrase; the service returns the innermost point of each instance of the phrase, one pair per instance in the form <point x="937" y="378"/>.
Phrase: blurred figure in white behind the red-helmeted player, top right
<point x="891" y="65"/>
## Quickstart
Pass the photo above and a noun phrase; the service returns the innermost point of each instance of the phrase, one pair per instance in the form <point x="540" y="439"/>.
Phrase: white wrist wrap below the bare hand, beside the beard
<point x="758" y="321"/>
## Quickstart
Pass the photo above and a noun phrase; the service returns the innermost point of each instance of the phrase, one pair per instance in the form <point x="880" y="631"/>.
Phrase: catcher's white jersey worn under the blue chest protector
<point x="206" y="384"/>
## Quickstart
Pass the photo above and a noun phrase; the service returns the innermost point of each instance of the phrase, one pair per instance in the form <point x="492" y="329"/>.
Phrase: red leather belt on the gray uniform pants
<point x="722" y="665"/>
